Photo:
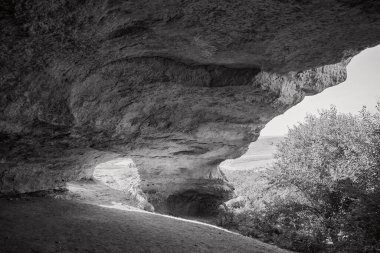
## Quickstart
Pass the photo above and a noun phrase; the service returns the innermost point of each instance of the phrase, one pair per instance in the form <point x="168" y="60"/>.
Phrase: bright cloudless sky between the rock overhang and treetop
<point x="362" y="87"/>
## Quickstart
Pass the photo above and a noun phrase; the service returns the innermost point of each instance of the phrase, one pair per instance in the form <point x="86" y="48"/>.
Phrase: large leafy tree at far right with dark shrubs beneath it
<point x="332" y="164"/>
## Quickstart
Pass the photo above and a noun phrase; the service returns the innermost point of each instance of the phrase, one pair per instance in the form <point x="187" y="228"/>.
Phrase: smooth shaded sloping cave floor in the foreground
<point x="35" y="224"/>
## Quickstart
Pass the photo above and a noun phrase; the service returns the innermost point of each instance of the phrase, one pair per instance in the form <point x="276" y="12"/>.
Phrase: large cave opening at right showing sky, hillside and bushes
<point x="314" y="157"/>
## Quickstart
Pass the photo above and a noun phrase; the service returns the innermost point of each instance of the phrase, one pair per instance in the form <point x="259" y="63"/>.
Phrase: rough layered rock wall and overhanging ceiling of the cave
<point x="178" y="86"/>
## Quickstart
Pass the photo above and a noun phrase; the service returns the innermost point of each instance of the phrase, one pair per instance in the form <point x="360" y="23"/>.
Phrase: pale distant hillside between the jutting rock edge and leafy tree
<point x="259" y="154"/>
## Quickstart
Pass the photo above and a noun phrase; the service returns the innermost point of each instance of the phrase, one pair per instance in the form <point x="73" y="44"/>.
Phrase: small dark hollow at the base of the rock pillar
<point x="193" y="203"/>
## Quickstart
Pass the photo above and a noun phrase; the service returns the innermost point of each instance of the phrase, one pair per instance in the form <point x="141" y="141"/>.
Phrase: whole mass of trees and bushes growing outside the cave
<point x="323" y="192"/>
